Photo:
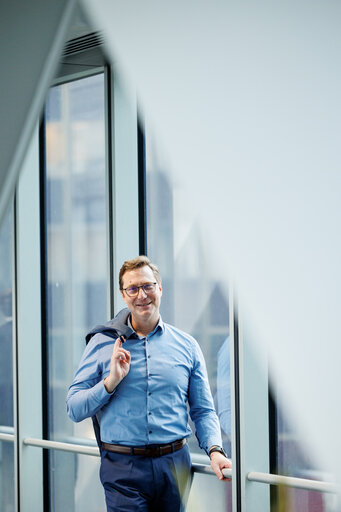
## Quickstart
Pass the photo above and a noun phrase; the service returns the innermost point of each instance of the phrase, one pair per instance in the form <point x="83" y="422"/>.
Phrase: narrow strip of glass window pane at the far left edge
<point x="6" y="364"/>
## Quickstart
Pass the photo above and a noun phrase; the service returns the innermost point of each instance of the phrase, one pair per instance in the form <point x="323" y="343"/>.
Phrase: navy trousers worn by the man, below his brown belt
<point x="146" y="484"/>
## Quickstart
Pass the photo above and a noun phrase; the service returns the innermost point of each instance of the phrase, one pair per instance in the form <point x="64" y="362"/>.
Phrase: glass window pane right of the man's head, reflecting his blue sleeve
<point x="194" y="299"/>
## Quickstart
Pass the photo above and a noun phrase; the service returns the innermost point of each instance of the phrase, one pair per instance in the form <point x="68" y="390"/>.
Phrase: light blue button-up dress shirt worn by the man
<point x="149" y="406"/>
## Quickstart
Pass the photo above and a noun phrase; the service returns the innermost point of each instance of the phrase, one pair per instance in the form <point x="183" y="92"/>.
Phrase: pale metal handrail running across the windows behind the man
<point x="253" y="476"/>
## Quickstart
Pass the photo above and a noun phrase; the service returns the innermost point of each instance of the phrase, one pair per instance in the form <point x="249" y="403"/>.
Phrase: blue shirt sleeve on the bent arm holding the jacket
<point x="87" y="394"/>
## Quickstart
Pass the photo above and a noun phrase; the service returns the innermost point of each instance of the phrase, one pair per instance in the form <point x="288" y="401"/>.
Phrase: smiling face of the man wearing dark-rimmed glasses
<point x="144" y="307"/>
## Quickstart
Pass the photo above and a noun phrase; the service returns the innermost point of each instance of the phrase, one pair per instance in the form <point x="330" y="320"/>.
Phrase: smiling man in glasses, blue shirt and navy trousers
<point x="137" y="389"/>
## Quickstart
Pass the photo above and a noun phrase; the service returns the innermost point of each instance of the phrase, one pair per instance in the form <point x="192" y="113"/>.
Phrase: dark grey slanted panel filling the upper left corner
<point x="32" y="35"/>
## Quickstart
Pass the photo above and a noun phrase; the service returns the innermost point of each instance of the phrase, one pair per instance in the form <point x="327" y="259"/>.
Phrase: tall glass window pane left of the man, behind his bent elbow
<point x="76" y="261"/>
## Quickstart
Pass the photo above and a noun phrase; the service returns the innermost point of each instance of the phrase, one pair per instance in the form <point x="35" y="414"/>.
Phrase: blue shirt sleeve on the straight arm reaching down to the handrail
<point x="201" y="405"/>
